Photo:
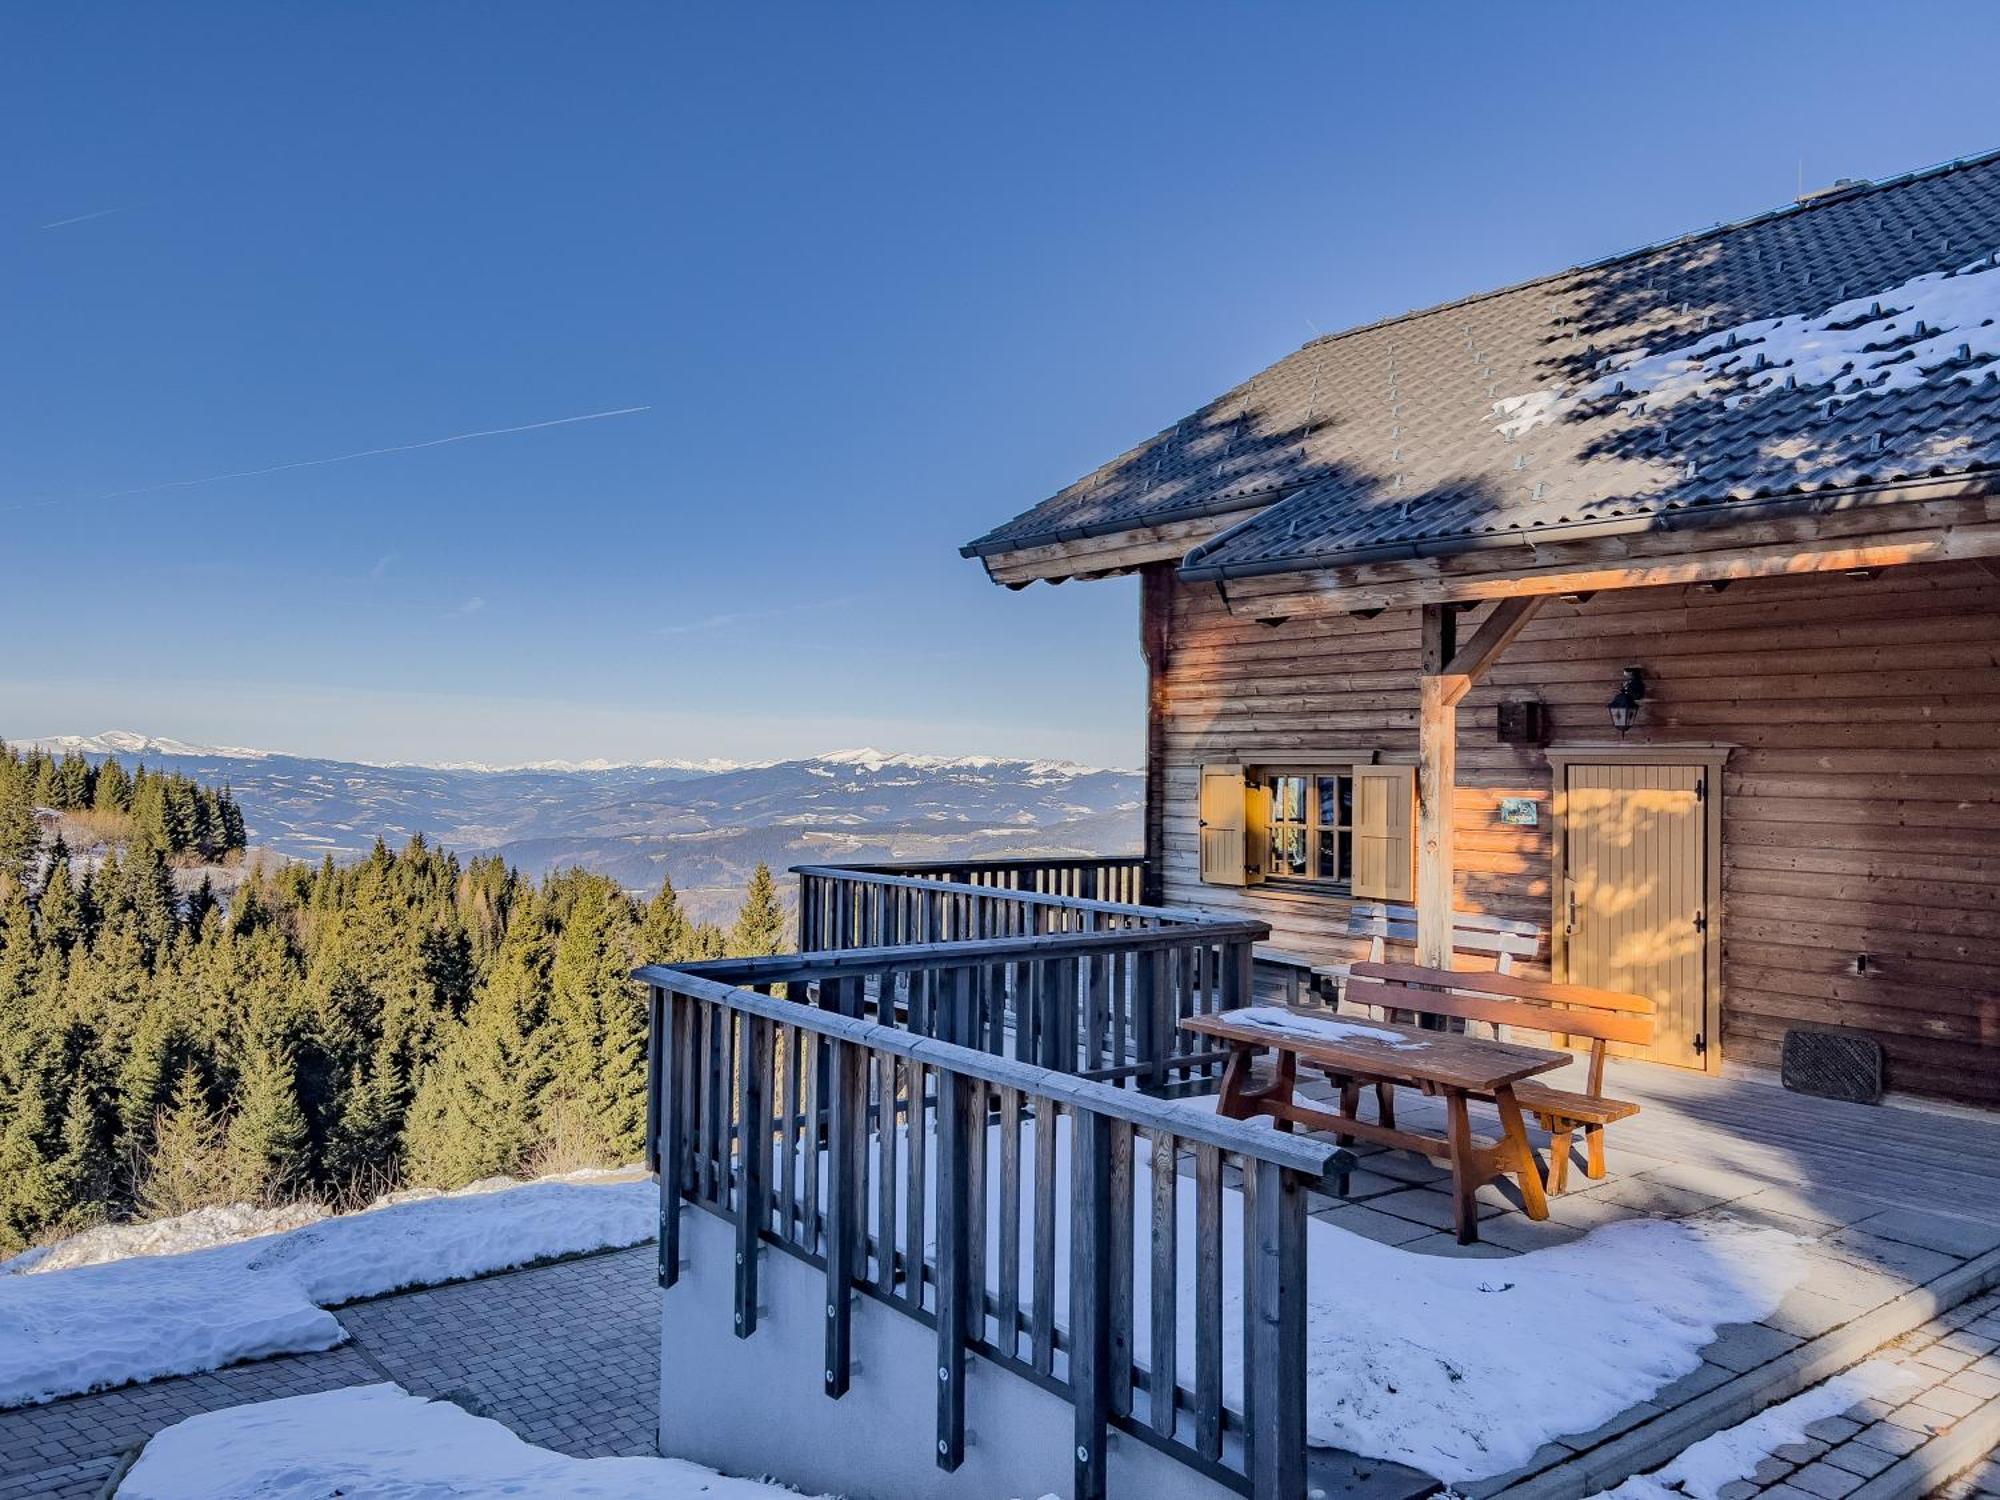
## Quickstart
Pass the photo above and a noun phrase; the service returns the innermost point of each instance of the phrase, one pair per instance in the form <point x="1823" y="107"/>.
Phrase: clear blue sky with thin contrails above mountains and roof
<point x="881" y="277"/>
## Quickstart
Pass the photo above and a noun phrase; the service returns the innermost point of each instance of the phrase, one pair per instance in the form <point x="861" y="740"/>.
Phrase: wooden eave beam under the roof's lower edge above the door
<point x="1845" y="531"/>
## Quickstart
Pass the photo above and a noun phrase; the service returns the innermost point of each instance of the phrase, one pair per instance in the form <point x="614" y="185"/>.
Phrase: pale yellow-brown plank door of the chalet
<point x="1635" y="887"/>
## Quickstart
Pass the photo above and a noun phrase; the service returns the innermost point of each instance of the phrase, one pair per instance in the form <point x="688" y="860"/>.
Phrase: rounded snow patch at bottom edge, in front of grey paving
<point x="381" y="1441"/>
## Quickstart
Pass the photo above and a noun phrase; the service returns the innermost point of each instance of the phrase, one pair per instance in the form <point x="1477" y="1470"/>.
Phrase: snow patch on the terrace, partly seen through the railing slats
<point x="1455" y="1367"/>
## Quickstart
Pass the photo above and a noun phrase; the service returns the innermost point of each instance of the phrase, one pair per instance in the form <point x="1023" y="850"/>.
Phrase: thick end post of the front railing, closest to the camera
<point x="1275" y="1331"/>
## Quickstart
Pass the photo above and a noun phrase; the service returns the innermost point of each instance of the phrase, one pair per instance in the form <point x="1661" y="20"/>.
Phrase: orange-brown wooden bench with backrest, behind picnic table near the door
<point x="1523" y="1005"/>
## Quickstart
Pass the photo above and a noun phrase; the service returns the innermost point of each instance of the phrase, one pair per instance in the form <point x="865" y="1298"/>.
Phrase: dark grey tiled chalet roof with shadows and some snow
<point x="1509" y="413"/>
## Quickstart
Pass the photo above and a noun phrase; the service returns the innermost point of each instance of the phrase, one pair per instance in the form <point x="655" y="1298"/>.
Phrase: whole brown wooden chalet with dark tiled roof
<point x="1647" y="613"/>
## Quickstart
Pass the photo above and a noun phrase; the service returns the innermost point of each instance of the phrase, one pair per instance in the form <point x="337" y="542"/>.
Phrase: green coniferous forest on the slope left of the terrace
<point x="323" y="1033"/>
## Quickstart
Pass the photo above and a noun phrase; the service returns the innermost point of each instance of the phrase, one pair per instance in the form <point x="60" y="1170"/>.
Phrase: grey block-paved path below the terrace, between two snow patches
<point x="565" y="1355"/>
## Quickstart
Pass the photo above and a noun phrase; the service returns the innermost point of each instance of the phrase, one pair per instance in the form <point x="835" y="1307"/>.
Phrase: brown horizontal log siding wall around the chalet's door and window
<point x="1861" y="811"/>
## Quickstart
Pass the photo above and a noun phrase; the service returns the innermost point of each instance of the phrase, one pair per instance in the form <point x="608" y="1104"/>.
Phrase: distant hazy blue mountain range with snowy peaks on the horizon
<point x="703" y="821"/>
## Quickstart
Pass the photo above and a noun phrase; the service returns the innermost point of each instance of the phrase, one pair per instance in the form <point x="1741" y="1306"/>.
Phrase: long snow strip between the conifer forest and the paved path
<point x="159" y="1315"/>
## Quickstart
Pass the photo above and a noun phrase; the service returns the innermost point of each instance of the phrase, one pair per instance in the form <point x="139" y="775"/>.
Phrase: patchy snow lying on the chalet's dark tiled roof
<point x="1937" y="327"/>
